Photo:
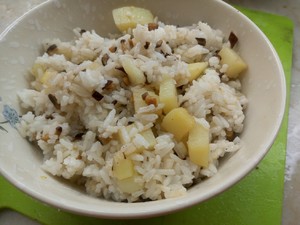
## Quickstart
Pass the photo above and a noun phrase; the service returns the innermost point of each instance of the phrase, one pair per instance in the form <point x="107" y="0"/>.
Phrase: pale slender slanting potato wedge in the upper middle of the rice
<point x="135" y="75"/>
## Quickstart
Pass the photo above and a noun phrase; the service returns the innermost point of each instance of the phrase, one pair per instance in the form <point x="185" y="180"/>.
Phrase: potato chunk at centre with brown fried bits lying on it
<point x="138" y="100"/>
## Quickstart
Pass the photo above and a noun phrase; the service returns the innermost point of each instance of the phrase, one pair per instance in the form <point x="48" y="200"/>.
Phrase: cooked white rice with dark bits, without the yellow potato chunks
<point x="77" y="133"/>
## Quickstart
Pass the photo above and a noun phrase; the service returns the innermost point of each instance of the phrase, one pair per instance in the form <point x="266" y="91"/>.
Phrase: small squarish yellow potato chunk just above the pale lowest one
<point x="123" y="169"/>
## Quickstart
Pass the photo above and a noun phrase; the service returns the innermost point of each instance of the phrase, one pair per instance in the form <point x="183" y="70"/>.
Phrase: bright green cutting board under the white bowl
<point x="255" y="200"/>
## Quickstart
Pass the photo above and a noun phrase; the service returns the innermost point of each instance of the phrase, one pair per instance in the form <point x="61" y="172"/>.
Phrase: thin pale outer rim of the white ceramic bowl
<point x="181" y="203"/>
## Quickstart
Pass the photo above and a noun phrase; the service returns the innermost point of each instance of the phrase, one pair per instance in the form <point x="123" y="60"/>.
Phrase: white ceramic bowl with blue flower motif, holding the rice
<point x="263" y="84"/>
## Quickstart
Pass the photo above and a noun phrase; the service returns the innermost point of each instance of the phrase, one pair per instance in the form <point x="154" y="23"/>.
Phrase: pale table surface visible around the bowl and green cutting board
<point x="11" y="10"/>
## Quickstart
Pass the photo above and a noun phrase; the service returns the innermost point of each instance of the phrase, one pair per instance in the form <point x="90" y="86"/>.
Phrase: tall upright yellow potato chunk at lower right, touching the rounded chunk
<point x="198" y="145"/>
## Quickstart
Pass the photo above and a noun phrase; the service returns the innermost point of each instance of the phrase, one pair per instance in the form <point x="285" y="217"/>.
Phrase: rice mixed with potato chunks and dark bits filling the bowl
<point x="138" y="116"/>
